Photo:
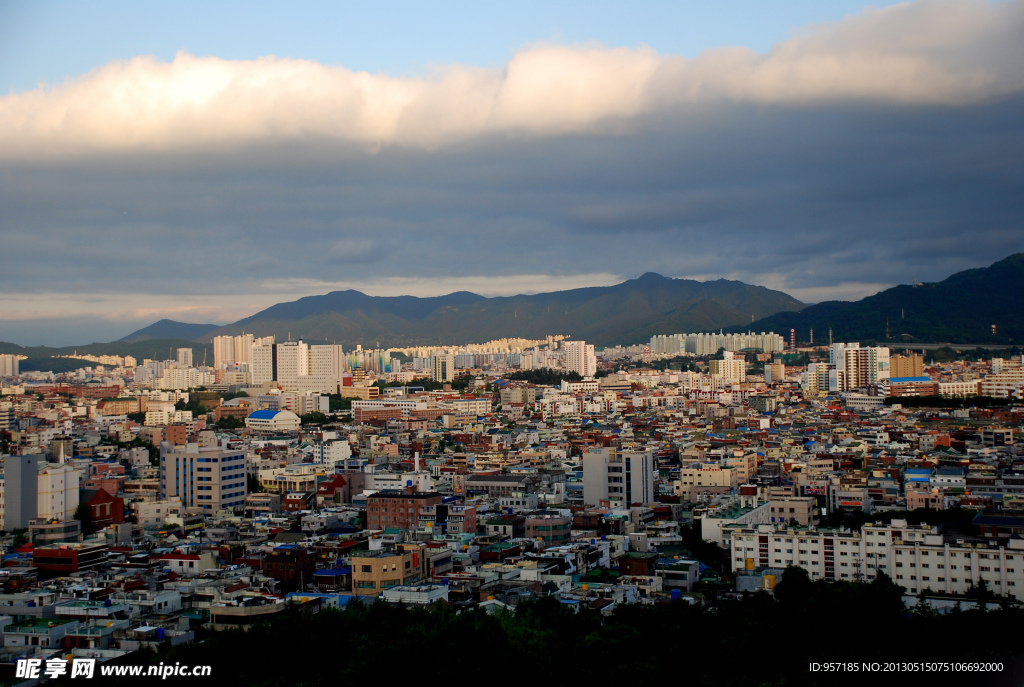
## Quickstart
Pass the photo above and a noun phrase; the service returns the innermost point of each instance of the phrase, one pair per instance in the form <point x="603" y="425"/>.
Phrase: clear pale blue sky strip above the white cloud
<point x="45" y="41"/>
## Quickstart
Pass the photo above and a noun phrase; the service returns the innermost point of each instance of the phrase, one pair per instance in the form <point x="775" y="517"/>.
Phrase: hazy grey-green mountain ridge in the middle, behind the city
<point x="624" y="314"/>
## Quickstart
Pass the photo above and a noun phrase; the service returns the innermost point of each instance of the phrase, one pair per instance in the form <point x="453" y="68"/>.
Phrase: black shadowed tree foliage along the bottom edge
<point x="759" y="640"/>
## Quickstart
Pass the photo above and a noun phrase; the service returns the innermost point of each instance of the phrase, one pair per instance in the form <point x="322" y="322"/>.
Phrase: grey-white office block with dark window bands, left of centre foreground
<point x="210" y="479"/>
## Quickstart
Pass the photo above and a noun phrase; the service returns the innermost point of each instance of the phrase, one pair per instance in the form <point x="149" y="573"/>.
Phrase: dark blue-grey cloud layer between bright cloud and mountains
<point x="830" y="196"/>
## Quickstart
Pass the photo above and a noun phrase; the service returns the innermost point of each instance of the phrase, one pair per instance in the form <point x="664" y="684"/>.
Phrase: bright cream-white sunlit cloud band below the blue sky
<point x="928" y="53"/>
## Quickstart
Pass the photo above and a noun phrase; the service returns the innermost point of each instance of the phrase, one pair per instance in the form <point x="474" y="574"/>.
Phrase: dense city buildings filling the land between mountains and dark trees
<point x="504" y="473"/>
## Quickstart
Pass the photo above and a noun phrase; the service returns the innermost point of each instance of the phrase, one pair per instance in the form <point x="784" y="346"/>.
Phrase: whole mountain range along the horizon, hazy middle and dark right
<point x="962" y="309"/>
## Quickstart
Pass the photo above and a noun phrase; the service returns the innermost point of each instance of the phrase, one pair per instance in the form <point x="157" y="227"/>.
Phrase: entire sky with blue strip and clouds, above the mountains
<point x="199" y="163"/>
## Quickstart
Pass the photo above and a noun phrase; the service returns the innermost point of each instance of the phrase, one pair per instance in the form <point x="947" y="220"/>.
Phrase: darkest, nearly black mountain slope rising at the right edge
<point x="962" y="309"/>
